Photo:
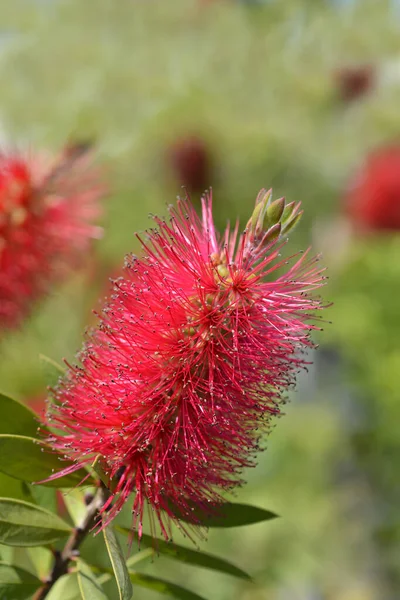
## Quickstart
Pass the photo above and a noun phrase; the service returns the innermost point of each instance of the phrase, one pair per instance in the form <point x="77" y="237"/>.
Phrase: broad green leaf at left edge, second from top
<point x="32" y="460"/>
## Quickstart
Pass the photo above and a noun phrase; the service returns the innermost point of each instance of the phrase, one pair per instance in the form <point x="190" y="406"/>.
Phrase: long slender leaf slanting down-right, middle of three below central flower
<point x="191" y="557"/>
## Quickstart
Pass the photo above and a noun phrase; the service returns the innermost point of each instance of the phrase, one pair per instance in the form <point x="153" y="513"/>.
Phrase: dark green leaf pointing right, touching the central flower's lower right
<point x="230" y="514"/>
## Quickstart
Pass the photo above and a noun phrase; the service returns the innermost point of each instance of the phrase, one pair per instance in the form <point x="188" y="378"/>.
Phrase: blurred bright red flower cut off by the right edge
<point x="373" y="197"/>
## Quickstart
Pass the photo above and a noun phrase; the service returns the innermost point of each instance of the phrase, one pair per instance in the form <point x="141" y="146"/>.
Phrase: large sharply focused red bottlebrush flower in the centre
<point x="190" y="361"/>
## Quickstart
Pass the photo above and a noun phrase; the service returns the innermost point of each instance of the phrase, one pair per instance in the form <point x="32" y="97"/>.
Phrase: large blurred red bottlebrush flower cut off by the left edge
<point x="48" y="207"/>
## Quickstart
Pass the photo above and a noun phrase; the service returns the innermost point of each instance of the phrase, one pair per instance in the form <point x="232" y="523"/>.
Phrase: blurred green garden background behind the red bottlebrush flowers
<point x="260" y="85"/>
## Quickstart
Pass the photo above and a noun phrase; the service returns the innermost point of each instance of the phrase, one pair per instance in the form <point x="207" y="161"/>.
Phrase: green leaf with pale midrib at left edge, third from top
<point x="24" y="524"/>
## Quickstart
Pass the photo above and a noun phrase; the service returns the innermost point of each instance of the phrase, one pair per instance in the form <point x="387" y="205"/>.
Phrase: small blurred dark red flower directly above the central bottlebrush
<point x="191" y="162"/>
